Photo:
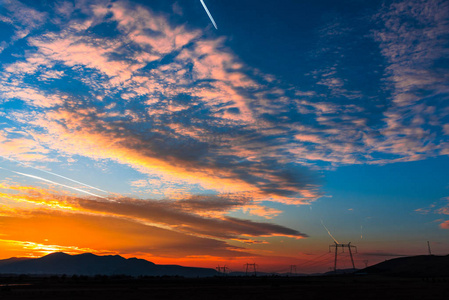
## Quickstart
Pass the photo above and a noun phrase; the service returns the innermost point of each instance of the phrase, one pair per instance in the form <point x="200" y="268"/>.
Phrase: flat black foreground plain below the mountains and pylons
<point x="233" y="288"/>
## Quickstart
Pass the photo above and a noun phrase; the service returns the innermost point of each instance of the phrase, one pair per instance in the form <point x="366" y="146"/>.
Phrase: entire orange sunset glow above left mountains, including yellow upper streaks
<point x="62" y="223"/>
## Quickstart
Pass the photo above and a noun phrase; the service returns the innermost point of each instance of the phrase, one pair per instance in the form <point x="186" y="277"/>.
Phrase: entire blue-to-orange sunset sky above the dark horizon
<point x="139" y="128"/>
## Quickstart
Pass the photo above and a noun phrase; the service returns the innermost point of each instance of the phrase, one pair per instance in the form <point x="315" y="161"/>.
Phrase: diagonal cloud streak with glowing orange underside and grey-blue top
<point x="87" y="132"/>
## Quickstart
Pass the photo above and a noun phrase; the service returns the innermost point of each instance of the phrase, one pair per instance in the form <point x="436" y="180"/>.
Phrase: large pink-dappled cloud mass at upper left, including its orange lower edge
<point x="209" y="146"/>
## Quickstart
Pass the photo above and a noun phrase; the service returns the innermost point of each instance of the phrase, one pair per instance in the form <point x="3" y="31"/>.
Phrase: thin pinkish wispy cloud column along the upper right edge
<point x="413" y="40"/>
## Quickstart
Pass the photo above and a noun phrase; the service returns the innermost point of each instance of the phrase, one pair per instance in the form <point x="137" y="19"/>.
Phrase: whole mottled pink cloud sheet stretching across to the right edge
<point x="179" y="106"/>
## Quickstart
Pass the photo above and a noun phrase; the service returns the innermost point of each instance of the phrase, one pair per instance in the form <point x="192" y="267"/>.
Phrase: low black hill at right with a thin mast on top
<point x="415" y="266"/>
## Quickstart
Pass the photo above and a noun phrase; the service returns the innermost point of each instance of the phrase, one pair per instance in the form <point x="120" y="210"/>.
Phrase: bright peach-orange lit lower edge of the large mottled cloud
<point x="110" y="143"/>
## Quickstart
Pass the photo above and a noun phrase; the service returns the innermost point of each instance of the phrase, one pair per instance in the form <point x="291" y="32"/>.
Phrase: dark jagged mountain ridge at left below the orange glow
<point x="89" y="264"/>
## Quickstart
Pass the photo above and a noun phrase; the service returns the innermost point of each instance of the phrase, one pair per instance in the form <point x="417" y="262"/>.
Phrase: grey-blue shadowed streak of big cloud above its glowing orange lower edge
<point x="210" y="151"/>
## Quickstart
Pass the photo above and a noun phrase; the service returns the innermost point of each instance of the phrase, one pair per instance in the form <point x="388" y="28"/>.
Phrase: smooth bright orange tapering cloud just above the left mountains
<point x="108" y="234"/>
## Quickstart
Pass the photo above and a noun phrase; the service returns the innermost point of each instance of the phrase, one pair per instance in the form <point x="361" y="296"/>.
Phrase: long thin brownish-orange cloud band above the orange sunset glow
<point x="132" y="210"/>
